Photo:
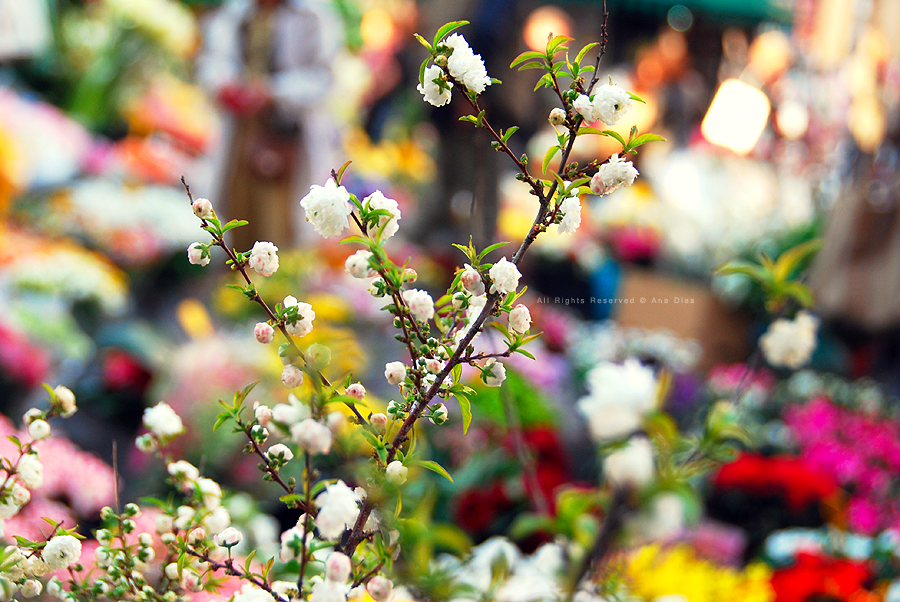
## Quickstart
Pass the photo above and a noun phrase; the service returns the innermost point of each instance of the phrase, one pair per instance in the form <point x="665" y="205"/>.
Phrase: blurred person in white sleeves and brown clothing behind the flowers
<point x="268" y="63"/>
